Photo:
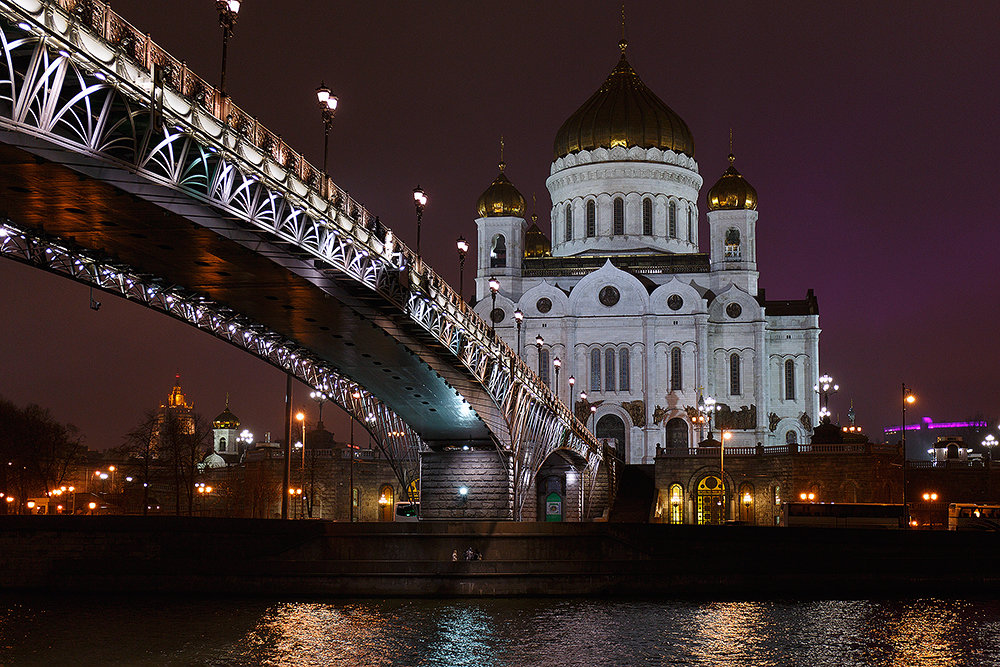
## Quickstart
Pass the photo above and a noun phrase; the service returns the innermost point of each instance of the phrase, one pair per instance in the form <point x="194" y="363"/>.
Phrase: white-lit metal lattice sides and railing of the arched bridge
<point x="77" y="79"/>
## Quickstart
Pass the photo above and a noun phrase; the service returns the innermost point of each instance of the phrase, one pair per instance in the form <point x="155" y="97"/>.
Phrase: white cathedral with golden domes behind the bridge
<point x="645" y="322"/>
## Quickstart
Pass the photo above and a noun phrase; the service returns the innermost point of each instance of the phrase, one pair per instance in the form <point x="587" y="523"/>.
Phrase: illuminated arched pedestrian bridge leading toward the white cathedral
<point x="122" y="169"/>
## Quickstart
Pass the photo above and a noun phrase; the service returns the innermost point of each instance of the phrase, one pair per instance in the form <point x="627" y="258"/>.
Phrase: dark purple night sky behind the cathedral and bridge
<point x="869" y="132"/>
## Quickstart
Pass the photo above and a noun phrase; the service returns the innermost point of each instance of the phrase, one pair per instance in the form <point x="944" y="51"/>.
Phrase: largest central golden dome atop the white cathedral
<point x="624" y="112"/>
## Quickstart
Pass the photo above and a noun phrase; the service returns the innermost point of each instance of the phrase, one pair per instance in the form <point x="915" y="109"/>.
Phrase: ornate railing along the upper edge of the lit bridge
<point x="165" y="70"/>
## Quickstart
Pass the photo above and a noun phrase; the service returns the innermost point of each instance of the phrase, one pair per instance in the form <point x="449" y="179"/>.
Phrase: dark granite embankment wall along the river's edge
<point x="316" y="558"/>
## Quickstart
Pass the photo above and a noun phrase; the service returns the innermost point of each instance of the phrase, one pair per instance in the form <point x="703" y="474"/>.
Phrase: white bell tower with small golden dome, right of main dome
<point x="732" y="221"/>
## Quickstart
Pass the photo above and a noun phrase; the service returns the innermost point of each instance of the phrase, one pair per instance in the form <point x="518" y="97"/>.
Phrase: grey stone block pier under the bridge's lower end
<point x="484" y="475"/>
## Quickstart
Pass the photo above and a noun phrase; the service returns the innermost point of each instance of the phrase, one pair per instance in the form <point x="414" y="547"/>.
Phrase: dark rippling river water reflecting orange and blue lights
<point x="109" y="629"/>
